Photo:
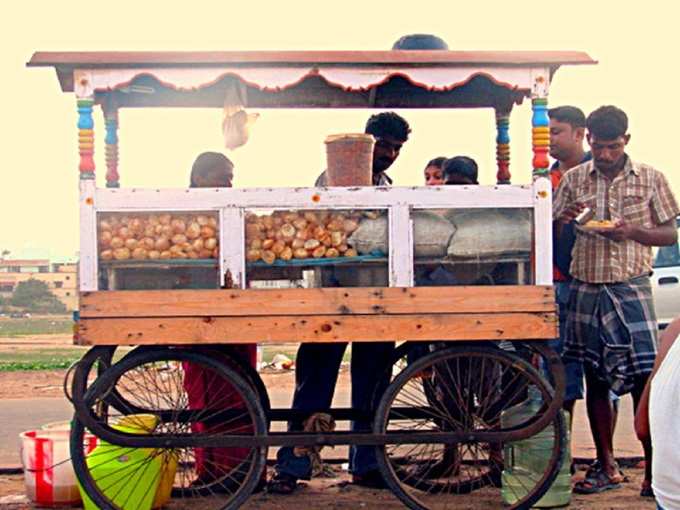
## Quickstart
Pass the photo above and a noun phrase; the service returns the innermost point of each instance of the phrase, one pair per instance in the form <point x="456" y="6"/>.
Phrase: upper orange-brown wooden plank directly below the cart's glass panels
<point x="327" y="301"/>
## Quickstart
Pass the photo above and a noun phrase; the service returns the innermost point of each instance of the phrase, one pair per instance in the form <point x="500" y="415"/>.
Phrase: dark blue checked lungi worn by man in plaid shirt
<point x="612" y="330"/>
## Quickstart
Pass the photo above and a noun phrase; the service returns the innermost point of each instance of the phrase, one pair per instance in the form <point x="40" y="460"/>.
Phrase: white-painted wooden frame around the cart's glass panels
<point x="398" y="201"/>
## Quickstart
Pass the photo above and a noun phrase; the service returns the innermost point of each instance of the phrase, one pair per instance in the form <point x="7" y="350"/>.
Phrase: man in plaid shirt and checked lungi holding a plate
<point x="611" y="325"/>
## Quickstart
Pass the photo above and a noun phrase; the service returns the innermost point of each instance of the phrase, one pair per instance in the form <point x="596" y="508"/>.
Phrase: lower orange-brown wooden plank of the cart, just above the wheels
<point x="356" y="328"/>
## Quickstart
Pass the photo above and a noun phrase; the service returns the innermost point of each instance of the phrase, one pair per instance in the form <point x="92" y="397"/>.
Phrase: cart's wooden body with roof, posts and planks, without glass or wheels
<point x="366" y="79"/>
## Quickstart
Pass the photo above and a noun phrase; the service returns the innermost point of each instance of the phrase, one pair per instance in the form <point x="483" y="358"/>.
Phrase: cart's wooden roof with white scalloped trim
<point x="308" y="78"/>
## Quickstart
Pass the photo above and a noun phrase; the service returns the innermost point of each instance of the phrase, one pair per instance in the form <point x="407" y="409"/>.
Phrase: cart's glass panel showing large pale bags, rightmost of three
<point x="472" y="246"/>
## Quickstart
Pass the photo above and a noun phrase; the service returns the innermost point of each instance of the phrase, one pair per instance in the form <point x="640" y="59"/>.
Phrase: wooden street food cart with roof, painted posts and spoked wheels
<point x="461" y="396"/>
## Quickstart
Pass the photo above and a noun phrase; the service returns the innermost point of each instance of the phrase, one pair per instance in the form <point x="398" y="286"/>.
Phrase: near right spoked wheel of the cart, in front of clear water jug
<point x="471" y="389"/>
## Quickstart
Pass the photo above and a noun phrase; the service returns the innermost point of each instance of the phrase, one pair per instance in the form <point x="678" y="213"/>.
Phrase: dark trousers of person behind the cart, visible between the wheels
<point x="316" y="374"/>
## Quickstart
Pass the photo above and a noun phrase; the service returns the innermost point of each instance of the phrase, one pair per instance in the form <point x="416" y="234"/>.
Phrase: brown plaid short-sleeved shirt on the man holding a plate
<point x="639" y="195"/>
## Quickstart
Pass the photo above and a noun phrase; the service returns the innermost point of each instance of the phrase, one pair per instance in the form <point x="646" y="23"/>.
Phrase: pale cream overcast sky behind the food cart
<point x="636" y="47"/>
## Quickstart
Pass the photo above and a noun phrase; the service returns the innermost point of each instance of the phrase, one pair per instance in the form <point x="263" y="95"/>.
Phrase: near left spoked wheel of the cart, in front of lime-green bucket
<point x="182" y="393"/>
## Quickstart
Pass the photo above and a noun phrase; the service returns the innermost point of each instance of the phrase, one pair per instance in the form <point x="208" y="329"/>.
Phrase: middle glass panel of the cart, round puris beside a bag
<point x="304" y="248"/>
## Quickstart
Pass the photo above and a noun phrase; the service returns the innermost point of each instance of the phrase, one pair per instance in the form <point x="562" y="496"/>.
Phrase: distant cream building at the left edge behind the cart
<point x="61" y="278"/>
